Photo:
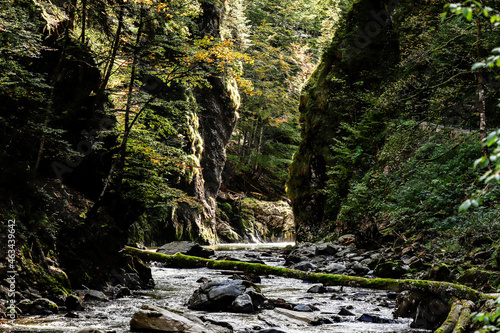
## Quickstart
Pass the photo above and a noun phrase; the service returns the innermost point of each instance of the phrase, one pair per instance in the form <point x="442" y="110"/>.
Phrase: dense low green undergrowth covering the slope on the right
<point x="416" y="182"/>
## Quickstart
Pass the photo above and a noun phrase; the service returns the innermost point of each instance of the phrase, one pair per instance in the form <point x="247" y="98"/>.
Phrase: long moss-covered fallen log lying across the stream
<point x="446" y="290"/>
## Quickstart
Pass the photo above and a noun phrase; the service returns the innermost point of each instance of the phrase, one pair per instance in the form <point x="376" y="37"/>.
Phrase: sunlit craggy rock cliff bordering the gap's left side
<point x="217" y="119"/>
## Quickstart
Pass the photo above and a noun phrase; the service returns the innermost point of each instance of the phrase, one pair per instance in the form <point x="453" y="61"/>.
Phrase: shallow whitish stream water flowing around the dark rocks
<point x="175" y="286"/>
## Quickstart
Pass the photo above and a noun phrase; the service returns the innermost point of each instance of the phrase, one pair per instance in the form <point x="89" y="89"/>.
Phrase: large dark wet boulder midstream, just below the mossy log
<point x="226" y="295"/>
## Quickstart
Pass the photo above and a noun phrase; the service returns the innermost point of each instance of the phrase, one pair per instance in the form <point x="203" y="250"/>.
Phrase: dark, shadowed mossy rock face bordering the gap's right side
<point x="363" y="52"/>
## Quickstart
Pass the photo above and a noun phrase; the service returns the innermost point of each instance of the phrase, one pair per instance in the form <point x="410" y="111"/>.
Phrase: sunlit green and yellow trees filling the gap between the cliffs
<point x="283" y="41"/>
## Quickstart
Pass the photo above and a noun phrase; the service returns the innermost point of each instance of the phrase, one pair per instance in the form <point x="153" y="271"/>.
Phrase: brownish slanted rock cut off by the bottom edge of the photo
<point x="155" y="319"/>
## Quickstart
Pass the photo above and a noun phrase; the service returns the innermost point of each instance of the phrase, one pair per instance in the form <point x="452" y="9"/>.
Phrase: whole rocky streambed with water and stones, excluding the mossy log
<point x="201" y="300"/>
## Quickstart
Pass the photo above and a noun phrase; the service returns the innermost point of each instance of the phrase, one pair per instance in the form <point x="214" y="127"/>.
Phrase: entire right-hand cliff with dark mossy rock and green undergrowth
<point x="371" y="151"/>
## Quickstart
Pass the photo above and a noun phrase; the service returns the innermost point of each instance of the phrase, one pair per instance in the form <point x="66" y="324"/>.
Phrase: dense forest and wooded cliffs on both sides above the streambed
<point x="142" y="122"/>
